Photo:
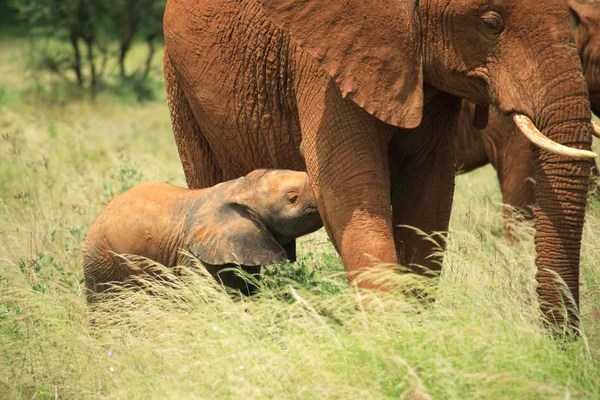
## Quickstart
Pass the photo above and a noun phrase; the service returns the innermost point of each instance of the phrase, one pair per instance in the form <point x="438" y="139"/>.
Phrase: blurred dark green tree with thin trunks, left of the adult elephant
<point x="90" y="28"/>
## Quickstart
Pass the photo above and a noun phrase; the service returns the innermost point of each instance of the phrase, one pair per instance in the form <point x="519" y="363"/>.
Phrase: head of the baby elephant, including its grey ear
<point x="249" y="220"/>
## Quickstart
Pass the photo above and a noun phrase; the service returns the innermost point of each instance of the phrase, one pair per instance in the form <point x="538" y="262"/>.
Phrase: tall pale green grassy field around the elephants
<point x="302" y="337"/>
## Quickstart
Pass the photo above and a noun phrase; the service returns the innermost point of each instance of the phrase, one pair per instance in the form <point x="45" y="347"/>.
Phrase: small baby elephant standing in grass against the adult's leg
<point x="245" y="222"/>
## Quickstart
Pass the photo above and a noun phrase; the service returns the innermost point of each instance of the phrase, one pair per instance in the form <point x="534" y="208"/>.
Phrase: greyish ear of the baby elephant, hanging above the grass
<point x="230" y="234"/>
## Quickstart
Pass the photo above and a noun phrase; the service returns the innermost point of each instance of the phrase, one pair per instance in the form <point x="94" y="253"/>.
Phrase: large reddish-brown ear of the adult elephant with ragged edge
<point x="372" y="48"/>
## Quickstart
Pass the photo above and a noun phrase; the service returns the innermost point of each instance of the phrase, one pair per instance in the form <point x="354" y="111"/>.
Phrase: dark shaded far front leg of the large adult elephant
<point x="422" y="165"/>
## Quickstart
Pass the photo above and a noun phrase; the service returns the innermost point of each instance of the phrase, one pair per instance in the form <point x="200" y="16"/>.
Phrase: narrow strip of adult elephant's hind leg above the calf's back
<point x="199" y="164"/>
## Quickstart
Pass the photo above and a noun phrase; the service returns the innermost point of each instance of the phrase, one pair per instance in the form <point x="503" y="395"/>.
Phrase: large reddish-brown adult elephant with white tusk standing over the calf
<point x="372" y="89"/>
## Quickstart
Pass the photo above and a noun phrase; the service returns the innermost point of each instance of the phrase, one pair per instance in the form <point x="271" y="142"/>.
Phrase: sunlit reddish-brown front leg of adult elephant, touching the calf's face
<point x="346" y="158"/>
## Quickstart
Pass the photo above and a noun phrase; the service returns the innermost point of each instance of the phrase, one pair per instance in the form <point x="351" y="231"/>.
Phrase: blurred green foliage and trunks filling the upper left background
<point x="86" y="45"/>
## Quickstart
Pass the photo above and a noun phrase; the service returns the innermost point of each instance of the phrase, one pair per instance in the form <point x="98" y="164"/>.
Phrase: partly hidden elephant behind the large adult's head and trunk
<point x="501" y="143"/>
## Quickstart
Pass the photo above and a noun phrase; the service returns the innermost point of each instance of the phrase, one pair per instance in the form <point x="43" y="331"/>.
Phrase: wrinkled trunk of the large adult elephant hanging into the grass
<point x="560" y="202"/>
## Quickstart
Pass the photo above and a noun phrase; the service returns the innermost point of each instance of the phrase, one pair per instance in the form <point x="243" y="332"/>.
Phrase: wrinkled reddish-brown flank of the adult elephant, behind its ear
<point x="234" y="67"/>
